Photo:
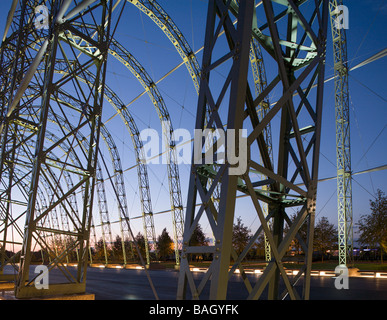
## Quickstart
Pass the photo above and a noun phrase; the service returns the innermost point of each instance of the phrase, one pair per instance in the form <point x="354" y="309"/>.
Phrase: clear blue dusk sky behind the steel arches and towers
<point x="368" y="103"/>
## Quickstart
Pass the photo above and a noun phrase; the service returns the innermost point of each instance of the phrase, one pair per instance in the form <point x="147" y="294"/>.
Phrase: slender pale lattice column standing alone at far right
<point x="343" y="145"/>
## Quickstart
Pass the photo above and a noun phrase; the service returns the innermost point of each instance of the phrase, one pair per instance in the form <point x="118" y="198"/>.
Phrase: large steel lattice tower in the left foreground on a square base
<point x="25" y="126"/>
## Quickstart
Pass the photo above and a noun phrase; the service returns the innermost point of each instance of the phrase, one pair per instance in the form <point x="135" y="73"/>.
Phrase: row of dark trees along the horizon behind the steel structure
<point x="372" y="235"/>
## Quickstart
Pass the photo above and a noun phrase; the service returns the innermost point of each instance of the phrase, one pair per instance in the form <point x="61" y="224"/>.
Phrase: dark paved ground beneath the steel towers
<point x="125" y="284"/>
